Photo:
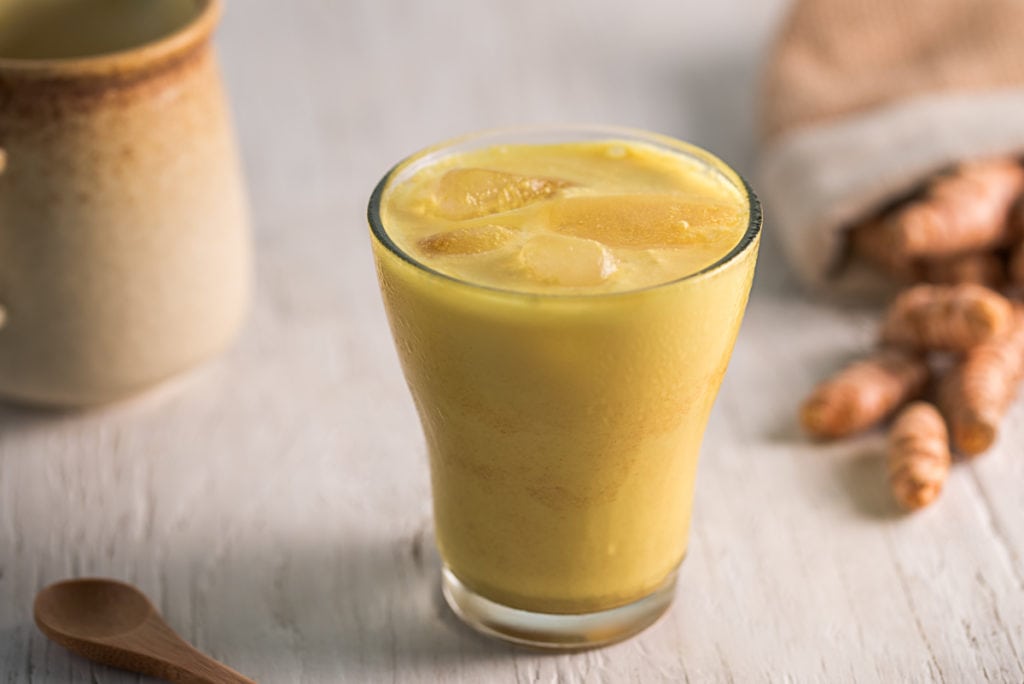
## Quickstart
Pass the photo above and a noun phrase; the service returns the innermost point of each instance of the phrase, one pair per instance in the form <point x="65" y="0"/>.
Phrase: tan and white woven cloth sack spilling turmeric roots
<point x="865" y="100"/>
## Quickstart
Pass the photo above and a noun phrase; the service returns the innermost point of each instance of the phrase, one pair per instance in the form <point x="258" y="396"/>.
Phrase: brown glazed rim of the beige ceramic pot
<point x="167" y="47"/>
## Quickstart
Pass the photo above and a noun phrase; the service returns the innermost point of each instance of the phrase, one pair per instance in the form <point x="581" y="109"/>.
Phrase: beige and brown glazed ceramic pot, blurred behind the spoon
<point x="124" y="241"/>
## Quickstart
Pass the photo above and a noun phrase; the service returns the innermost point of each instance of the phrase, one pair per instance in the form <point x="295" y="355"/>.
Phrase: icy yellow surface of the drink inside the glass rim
<point x="572" y="219"/>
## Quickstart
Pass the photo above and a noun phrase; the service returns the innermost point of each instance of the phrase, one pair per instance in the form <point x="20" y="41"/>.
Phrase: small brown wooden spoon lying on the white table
<point x="115" y="624"/>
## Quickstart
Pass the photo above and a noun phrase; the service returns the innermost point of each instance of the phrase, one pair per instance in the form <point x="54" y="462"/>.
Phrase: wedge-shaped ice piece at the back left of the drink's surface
<point x="472" y="193"/>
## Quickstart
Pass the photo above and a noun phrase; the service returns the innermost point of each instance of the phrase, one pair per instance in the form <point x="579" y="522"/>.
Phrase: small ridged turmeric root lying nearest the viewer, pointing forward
<point x="919" y="455"/>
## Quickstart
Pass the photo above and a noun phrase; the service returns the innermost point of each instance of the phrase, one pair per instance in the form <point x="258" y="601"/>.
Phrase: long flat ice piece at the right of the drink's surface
<point x="644" y="221"/>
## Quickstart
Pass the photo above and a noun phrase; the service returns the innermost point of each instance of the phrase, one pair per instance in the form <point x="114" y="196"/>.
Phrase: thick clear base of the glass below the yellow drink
<point x="560" y="632"/>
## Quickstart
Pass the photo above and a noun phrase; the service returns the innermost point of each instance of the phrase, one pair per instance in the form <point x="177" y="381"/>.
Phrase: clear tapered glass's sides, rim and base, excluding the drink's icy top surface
<point x="563" y="430"/>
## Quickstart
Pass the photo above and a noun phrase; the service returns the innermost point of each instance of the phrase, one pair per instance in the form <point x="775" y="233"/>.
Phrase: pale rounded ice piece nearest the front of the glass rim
<point x="565" y="261"/>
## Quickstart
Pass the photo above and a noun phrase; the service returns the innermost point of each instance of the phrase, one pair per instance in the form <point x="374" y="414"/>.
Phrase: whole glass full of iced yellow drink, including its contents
<point x="565" y="314"/>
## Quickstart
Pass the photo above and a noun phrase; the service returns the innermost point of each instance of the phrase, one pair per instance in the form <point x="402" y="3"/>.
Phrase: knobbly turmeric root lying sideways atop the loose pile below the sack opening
<point x="946" y="318"/>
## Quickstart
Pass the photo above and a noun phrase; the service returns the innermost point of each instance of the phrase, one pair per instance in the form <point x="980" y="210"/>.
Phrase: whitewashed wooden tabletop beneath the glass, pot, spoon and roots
<point x="276" y="504"/>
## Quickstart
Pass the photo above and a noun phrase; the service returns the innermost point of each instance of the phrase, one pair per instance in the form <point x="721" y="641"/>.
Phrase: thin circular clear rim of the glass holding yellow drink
<point x="753" y="232"/>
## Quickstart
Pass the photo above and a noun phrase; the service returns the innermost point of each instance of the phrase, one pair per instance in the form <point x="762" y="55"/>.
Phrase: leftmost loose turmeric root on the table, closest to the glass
<point x="864" y="394"/>
